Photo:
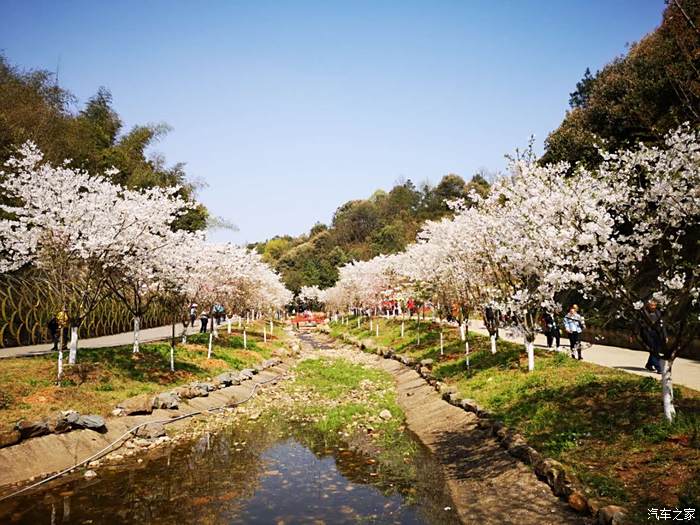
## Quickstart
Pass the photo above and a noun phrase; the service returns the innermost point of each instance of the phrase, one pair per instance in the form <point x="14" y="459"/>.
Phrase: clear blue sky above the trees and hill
<point x="287" y="109"/>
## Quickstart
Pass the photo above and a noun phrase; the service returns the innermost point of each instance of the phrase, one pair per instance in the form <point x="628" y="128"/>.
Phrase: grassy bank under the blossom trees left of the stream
<point x="105" y="376"/>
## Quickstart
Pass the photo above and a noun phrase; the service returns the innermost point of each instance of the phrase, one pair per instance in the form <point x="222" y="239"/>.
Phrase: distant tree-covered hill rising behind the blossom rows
<point x="361" y="229"/>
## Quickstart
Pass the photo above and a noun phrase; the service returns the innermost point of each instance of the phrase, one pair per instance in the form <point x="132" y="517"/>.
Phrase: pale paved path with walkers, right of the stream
<point x="686" y="372"/>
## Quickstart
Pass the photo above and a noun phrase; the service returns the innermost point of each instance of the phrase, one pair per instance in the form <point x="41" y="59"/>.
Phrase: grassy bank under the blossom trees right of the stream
<point x="605" y="425"/>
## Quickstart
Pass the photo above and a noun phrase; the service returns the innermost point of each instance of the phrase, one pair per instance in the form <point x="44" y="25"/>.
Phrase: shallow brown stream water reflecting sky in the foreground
<point x="260" y="475"/>
